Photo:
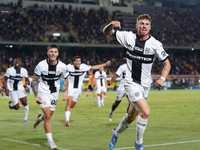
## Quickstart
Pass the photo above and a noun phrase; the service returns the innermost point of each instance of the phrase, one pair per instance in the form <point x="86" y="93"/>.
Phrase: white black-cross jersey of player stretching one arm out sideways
<point x="76" y="76"/>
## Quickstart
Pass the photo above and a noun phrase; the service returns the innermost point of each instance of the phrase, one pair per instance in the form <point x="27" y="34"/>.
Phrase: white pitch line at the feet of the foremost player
<point x="164" y="144"/>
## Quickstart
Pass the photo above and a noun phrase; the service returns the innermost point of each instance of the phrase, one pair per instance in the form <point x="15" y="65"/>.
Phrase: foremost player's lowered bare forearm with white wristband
<point x="165" y="72"/>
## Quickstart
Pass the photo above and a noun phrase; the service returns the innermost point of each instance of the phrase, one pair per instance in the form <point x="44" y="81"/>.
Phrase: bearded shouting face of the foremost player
<point x="143" y="27"/>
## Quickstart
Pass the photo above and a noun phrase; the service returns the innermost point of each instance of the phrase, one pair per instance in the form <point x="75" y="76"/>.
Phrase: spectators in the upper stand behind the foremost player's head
<point x="86" y="27"/>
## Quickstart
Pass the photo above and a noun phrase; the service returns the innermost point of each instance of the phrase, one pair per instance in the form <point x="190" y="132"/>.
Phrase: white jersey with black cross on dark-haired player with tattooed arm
<point x="50" y="76"/>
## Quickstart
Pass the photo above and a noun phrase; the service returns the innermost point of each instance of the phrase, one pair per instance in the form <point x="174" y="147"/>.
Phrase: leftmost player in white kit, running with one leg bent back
<point x="14" y="87"/>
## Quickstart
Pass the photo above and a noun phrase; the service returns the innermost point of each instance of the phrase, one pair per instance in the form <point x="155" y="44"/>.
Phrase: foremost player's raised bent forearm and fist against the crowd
<point x="108" y="30"/>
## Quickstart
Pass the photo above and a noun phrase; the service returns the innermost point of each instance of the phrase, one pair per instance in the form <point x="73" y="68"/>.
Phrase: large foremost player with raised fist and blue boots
<point x="141" y="50"/>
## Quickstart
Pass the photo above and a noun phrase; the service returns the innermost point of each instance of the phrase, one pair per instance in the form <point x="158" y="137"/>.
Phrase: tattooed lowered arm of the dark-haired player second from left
<point x="35" y="88"/>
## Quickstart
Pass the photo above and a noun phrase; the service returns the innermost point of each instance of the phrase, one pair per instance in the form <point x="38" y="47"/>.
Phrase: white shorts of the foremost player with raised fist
<point x="135" y="91"/>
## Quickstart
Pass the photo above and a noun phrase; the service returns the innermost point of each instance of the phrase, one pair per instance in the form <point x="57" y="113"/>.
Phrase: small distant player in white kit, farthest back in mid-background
<point x="101" y="85"/>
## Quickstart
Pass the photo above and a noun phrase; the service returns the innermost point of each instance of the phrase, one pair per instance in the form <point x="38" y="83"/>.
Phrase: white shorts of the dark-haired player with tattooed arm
<point x="49" y="100"/>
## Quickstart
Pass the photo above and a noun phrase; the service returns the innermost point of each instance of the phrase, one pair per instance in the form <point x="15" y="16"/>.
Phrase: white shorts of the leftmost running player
<point x="16" y="95"/>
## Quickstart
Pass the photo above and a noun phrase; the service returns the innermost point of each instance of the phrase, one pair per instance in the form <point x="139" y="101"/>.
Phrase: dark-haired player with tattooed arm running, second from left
<point x="46" y="85"/>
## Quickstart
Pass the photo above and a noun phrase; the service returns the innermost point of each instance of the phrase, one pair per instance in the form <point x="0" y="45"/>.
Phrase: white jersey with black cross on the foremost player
<point x="140" y="56"/>
